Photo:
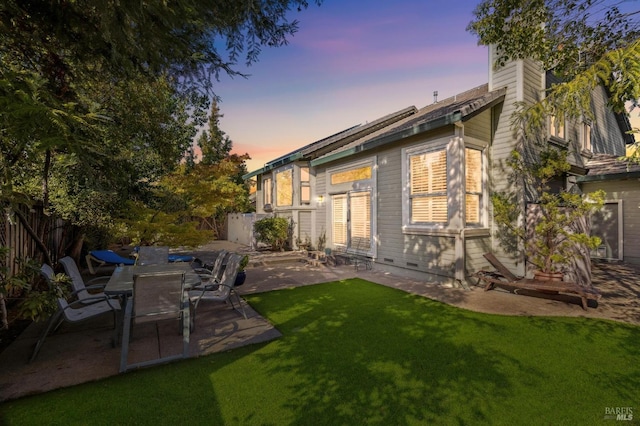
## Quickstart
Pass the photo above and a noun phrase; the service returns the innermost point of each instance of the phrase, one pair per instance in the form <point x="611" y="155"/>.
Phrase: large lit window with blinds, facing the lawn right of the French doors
<point x="428" y="187"/>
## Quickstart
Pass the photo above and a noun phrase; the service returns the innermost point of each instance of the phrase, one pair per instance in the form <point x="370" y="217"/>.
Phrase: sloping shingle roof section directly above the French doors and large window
<point x="461" y="107"/>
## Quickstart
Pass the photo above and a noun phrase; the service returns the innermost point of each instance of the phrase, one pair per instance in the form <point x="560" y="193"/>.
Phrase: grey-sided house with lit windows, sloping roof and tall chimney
<point x="411" y="190"/>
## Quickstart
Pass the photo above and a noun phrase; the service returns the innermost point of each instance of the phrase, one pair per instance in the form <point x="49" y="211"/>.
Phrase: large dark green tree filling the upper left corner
<point x="100" y="99"/>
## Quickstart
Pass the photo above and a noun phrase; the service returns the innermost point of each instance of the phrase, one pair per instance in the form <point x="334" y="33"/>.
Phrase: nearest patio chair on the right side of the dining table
<point x="222" y="291"/>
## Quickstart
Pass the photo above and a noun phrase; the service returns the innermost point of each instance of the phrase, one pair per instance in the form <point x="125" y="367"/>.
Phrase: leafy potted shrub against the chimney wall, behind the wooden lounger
<point x="556" y="221"/>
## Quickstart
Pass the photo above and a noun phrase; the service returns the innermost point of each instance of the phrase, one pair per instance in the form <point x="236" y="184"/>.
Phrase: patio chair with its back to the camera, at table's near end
<point x="156" y="297"/>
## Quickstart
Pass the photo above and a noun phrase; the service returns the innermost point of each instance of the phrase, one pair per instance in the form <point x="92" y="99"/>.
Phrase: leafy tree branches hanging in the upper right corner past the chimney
<point x="586" y="43"/>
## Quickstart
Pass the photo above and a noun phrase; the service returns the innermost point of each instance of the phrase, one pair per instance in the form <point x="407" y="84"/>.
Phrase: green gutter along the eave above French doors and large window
<point x="450" y="118"/>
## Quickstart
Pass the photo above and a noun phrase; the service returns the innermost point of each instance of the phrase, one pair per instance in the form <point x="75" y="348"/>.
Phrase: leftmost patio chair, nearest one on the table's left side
<point x="76" y="311"/>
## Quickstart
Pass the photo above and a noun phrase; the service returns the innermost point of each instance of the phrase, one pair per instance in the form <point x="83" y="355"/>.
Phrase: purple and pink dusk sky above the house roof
<point x="350" y="62"/>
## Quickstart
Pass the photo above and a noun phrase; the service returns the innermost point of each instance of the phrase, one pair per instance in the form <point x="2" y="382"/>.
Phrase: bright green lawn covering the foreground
<point x="355" y="352"/>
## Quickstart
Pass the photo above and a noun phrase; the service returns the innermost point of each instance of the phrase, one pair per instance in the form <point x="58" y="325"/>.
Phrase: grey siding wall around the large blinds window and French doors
<point x="427" y="255"/>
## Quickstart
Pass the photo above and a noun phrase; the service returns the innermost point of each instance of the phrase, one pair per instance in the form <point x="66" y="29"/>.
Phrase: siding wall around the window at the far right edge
<point x="629" y="192"/>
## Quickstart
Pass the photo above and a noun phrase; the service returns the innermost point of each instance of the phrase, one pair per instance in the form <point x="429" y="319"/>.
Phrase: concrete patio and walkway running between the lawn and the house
<point x="83" y="352"/>
